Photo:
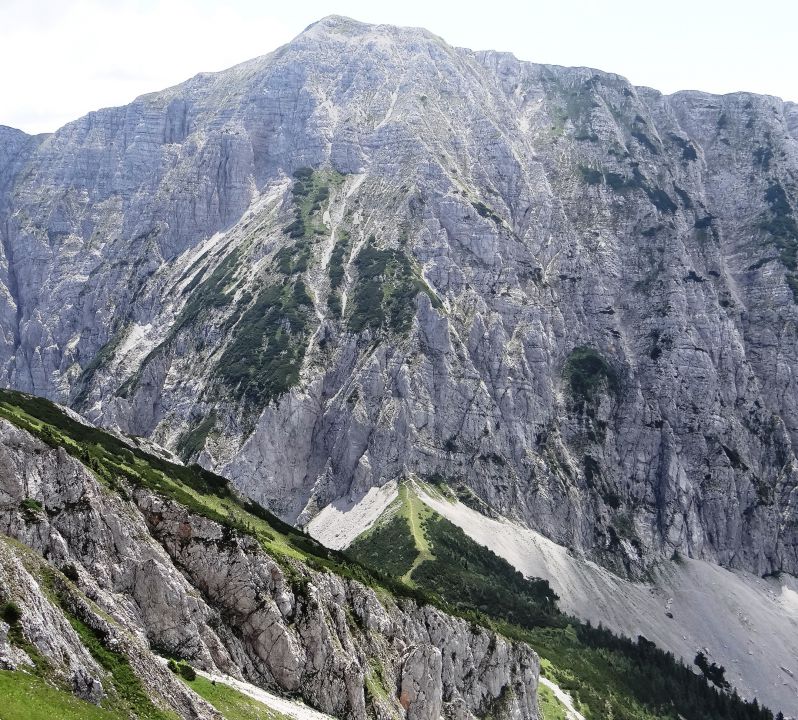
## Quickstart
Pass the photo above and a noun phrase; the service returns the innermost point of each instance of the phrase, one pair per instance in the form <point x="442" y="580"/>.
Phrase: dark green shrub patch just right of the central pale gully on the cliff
<point x="386" y="287"/>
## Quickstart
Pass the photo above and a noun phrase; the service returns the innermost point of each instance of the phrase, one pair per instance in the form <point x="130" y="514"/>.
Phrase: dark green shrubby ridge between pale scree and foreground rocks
<point x="607" y="676"/>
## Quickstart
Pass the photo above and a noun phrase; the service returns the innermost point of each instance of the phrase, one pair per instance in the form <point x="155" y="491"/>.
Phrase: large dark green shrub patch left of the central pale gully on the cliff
<point x="269" y="342"/>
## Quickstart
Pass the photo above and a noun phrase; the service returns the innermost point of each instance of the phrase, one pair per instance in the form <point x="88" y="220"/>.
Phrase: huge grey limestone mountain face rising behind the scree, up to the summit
<point x="576" y="296"/>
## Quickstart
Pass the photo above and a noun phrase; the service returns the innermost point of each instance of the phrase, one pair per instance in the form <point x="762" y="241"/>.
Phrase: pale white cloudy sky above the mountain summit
<point x="63" y="58"/>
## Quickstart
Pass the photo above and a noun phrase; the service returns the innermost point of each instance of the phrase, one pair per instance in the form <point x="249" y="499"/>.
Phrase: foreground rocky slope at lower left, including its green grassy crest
<point x="111" y="556"/>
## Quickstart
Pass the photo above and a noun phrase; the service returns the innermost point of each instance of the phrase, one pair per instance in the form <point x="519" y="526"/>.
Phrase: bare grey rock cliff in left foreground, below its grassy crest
<point x="149" y="575"/>
